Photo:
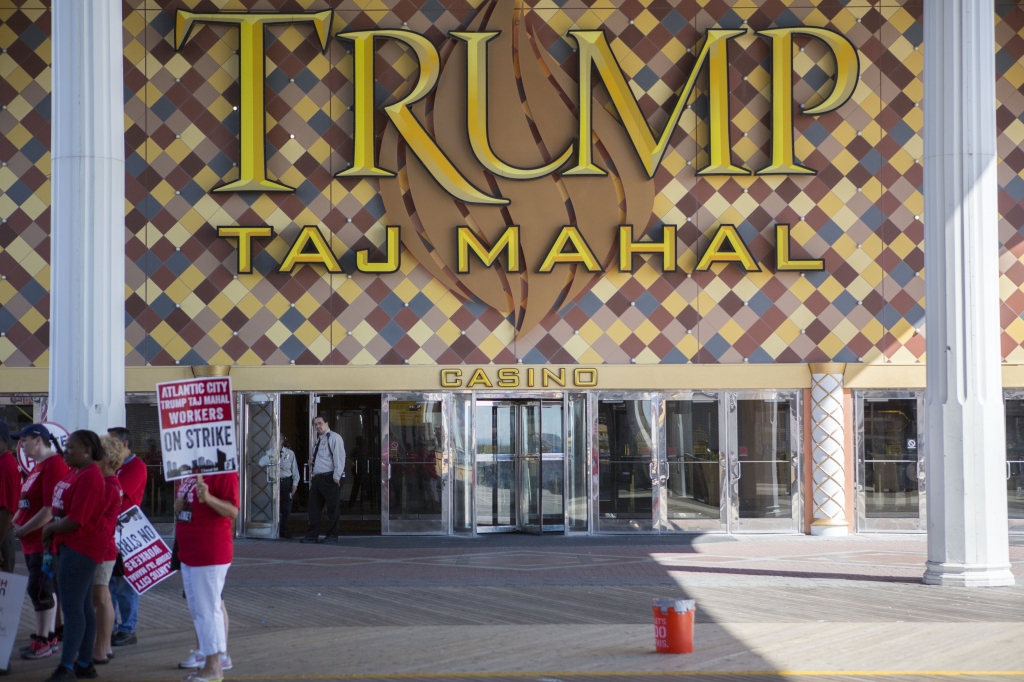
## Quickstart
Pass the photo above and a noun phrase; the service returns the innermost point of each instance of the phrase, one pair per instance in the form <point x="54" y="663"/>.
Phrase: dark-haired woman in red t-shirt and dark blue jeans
<point x="78" y="534"/>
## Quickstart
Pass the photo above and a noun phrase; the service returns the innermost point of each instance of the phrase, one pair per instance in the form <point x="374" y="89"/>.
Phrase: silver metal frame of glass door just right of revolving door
<point x="657" y="415"/>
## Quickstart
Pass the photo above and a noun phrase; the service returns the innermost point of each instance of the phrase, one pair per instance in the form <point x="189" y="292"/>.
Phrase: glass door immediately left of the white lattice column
<point x="764" y="463"/>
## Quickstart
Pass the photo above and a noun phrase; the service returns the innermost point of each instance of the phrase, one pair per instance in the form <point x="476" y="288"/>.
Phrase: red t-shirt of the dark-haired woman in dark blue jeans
<point x="81" y="496"/>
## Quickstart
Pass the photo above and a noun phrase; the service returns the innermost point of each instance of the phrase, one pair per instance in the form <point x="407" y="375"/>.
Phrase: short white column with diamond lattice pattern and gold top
<point x="829" y="451"/>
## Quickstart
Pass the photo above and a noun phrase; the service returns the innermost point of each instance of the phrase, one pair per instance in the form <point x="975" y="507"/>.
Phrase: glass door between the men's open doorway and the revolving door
<point x="415" y="466"/>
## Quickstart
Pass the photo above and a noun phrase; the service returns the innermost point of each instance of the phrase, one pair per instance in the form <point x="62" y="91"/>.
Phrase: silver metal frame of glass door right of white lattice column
<point x="866" y="525"/>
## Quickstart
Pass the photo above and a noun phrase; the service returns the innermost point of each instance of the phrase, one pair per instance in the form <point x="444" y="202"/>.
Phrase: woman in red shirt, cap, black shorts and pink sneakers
<point x="33" y="514"/>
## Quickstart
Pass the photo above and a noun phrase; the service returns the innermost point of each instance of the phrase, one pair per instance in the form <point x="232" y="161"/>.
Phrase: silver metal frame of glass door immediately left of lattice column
<point x="795" y="524"/>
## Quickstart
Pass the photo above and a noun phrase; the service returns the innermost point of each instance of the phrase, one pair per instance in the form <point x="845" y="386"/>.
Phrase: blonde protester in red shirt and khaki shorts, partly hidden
<point x="114" y="455"/>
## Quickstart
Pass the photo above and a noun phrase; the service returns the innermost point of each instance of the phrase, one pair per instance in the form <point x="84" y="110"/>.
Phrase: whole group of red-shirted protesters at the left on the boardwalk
<point x="65" y="513"/>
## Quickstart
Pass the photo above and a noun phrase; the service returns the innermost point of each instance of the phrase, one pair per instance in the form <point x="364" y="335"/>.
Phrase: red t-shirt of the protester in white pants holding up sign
<point x="204" y="536"/>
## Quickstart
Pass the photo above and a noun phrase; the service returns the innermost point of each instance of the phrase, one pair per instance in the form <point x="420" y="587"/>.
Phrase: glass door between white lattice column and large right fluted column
<point x="890" y="462"/>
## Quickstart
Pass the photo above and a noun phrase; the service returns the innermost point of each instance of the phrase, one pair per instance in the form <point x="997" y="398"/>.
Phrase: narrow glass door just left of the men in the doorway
<point x="261" y="475"/>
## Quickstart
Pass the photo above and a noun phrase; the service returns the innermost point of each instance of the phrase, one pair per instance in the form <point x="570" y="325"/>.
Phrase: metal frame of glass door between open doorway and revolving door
<point x="446" y="527"/>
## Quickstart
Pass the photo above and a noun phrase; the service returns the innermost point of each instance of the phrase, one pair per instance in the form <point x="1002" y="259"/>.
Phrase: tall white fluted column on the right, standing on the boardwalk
<point x="968" y="542"/>
